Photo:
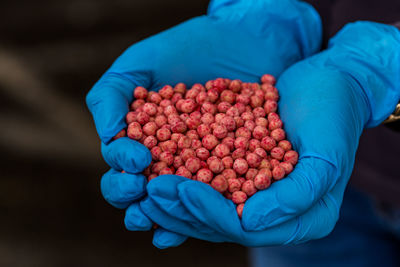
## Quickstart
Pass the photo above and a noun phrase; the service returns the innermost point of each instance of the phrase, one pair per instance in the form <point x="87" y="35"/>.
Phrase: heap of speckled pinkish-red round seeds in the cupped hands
<point x="226" y="134"/>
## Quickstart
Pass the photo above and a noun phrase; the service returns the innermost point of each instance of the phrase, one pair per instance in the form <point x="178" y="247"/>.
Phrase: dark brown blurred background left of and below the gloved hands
<point x="52" y="211"/>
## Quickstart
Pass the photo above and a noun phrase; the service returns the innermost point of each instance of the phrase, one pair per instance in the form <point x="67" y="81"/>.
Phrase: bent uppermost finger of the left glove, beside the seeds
<point x="108" y="101"/>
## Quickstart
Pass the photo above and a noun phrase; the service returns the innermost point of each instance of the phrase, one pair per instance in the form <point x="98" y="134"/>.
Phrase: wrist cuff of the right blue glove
<point x="370" y="53"/>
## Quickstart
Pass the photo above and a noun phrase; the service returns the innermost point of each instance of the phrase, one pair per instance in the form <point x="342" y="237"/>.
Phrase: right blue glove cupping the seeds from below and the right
<point x="326" y="102"/>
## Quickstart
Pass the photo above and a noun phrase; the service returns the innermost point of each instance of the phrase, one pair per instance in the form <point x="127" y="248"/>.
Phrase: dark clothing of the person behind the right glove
<point x="376" y="171"/>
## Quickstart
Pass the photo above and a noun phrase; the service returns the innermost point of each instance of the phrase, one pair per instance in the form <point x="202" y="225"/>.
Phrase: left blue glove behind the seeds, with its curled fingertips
<point x="237" y="39"/>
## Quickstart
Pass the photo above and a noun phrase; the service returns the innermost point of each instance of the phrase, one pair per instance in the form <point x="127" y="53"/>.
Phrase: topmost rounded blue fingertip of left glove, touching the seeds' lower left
<point x="126" y="154"/>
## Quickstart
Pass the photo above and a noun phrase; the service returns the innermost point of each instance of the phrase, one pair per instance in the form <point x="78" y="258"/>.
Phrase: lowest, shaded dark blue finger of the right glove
<point x="172" y="223"/>
